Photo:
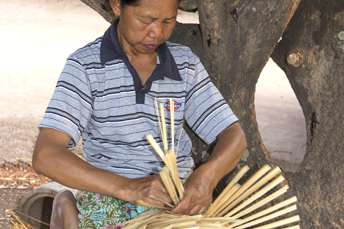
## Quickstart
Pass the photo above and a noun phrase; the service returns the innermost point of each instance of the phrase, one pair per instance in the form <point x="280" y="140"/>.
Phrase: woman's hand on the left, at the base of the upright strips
<point x="147" y="191"/>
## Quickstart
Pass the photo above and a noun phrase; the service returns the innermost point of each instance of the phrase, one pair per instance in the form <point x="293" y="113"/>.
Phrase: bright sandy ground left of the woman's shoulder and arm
<point x="36" y="38"/>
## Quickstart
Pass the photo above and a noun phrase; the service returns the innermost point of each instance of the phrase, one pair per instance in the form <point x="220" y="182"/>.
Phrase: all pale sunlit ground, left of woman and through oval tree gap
<point x="36" y="38"/>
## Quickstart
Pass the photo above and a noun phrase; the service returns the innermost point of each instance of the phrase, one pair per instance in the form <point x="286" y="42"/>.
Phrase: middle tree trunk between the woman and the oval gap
<point x="238" y="39"/>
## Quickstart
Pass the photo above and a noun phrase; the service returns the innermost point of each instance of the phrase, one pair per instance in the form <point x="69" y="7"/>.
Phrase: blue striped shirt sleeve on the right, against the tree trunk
<point x="206" y="111"/>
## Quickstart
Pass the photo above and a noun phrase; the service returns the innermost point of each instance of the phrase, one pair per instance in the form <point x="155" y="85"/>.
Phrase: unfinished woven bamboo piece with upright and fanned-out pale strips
<point x="244" y="203"/>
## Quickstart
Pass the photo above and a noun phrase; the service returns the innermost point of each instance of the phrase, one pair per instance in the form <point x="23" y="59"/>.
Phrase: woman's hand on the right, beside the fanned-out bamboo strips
<point x="198" y="193"/>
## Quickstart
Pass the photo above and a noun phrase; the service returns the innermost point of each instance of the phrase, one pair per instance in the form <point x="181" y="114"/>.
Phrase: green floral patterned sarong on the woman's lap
<point x="103" y="212"/>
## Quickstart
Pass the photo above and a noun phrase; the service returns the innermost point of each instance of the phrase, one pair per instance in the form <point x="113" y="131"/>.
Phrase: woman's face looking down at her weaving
<point x="147" y="25"/>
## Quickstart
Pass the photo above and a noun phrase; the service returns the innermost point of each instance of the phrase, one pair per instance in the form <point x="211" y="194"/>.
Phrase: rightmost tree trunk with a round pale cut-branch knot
<point x="312" y="55"/>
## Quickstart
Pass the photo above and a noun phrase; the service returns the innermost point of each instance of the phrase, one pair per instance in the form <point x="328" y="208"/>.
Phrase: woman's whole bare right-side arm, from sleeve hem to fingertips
<point x="202" y="182"/>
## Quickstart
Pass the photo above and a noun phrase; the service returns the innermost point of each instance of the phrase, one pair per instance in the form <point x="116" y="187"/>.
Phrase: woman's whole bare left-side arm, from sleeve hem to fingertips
<point x="52" y="158"/>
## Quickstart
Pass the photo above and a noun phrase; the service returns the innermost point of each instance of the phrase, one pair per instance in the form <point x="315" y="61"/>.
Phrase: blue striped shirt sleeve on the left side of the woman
<point x="70" y="107"/>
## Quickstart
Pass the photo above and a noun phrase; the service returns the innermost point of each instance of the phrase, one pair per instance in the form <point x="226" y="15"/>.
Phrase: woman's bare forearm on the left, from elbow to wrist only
<point x="66" y="168"/>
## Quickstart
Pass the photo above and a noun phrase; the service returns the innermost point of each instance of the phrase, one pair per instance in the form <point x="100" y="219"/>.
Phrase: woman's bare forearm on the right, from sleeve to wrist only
<point x="226" y="154"/>
